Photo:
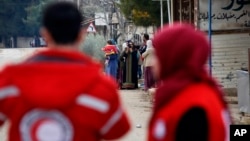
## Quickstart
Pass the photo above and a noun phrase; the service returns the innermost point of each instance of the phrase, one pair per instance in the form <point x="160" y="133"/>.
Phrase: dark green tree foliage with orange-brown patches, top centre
<point x="144" y="12"/>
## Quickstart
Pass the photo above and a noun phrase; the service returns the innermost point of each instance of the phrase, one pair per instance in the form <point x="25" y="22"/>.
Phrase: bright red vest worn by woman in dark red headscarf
<point x="163" y="126"/>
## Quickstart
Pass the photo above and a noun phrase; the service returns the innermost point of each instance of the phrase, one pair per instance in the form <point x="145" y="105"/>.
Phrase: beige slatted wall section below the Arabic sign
<point x="229" y="54"/>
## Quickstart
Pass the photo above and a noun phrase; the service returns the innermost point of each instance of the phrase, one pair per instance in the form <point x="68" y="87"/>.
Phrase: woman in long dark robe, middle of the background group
<point x="129" y="58"/>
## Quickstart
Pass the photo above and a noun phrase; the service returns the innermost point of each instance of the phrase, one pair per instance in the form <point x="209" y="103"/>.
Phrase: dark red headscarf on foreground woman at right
<point x="182" y="53"/>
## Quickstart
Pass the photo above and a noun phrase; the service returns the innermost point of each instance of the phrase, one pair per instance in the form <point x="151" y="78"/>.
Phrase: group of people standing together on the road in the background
<point x="131" y="63"/>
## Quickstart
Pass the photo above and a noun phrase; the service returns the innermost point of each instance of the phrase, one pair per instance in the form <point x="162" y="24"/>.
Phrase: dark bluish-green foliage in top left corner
<point x="20" y="18"/>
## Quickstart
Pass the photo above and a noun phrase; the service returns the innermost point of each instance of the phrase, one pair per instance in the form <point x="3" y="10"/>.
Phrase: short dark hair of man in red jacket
<point x="63" y="21"/>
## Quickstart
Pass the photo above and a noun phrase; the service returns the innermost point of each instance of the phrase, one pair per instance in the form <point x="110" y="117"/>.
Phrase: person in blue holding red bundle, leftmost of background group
<point x="111" y="62"/>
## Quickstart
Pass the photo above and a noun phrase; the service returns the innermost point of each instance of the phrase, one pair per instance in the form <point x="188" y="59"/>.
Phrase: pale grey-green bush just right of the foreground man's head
<point x="92" y="46"/>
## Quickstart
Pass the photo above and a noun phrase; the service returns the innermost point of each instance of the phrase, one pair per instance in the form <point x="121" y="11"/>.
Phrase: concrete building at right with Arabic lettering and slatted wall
<point x="230" y="34"/>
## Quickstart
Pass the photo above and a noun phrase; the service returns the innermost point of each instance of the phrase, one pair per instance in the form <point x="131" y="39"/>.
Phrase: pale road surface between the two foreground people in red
<point x="138" y="106"/>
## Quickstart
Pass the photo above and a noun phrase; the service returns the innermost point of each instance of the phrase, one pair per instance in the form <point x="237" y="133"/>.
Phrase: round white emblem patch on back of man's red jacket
<point x="41" y="125"/>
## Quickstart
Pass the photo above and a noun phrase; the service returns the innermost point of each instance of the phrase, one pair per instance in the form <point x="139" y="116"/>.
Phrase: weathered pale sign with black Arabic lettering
<point x="226" y="14"/>
